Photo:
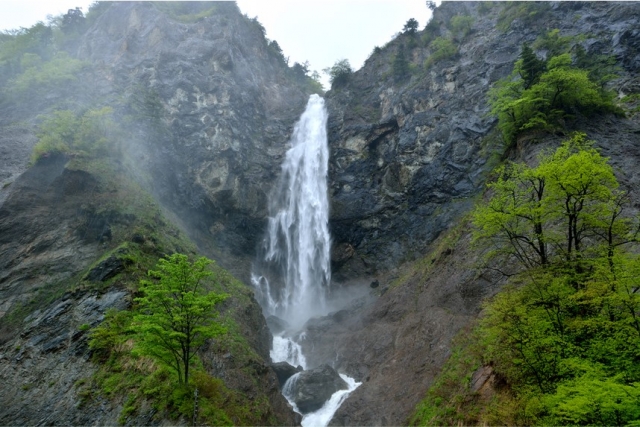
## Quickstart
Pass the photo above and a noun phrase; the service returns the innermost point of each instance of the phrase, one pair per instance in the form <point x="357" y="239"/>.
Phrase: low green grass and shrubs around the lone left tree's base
<point x="127" y="375"/>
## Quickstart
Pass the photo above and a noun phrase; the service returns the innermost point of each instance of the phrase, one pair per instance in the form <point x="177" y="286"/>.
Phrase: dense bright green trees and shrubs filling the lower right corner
<point x="563" y="339"/>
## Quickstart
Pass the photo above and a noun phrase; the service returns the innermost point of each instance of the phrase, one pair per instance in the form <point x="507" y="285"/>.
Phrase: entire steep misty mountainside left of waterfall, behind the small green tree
<point x="200" y="107"/>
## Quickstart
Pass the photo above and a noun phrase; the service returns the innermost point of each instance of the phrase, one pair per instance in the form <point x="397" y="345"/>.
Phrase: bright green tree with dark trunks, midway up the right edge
<point x="564" y="209"/>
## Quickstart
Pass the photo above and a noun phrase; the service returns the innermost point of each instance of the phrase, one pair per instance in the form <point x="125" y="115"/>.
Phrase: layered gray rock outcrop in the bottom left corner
<point x="41" y="368"/>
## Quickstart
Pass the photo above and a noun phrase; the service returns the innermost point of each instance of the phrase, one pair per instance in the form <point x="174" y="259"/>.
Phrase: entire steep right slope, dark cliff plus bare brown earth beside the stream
<point x="409" y="156"/>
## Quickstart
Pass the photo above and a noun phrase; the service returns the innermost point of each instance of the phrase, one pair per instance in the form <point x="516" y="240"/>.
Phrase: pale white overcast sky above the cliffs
<point x="319" y="31"/>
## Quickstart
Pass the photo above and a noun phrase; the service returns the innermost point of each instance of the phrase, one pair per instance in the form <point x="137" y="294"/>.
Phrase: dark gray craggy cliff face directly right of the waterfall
<point x="407" y="157"/>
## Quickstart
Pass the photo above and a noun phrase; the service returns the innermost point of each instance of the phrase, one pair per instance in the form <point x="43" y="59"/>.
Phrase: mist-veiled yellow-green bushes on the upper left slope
<point x="65" y="132"/>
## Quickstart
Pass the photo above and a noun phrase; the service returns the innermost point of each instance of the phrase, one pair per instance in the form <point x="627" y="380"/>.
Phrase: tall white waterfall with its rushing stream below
<point x="292" y="271"/>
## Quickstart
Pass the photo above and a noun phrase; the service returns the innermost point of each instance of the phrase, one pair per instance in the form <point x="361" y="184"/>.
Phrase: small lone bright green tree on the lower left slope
<point x="177" y="314"/>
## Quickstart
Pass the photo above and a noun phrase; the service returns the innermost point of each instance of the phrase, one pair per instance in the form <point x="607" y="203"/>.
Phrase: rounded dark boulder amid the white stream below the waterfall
<point x="310" y="389"/>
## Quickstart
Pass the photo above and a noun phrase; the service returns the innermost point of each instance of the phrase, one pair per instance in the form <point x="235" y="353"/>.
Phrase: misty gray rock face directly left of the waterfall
<point x="223" y="110"/>
